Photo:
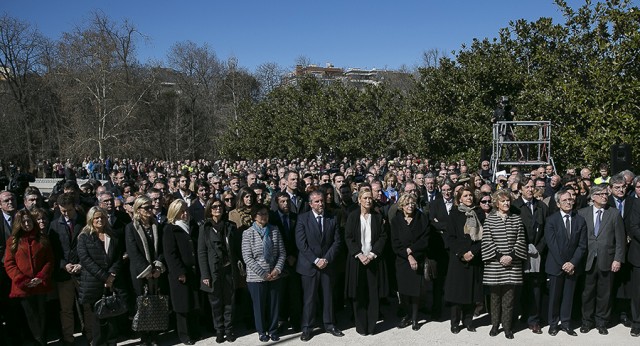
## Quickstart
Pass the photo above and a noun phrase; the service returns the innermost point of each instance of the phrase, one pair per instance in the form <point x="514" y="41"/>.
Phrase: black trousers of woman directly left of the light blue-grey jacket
<point x="222" y="302"/>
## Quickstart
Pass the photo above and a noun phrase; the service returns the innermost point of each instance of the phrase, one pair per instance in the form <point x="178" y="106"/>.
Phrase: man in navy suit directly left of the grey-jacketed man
<point x="566" y="236"/>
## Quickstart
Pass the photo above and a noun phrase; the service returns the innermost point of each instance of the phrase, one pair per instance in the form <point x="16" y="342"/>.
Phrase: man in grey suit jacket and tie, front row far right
<point x="606" y="243"/>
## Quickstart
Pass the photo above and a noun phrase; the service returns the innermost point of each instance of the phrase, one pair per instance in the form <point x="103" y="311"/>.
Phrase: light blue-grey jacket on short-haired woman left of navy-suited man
<point x="257" y="267"/>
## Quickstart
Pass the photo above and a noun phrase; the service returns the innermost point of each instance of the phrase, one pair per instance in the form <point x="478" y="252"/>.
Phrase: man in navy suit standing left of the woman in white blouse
<point x="318" y="241"/>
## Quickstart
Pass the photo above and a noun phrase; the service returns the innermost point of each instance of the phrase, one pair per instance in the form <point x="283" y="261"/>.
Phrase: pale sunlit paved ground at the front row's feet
<point x="433" y="333"/>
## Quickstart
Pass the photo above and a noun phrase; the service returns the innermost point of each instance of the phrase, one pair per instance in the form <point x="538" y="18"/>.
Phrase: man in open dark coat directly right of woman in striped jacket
<point x="533" y="214"/>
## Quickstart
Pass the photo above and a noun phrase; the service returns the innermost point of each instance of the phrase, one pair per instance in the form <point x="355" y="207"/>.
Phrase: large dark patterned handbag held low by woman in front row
<point x="152" y="312"/>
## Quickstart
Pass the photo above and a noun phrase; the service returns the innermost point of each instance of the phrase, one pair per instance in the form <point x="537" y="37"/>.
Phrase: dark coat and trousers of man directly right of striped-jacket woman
<point x="532" y="288"/>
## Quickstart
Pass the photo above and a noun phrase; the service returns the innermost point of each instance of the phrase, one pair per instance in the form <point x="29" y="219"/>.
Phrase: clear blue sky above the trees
<point x="364" y="34"/>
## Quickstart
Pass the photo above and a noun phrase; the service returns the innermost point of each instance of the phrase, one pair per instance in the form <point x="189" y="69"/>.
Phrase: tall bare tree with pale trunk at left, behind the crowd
<point x="97" y="70"/>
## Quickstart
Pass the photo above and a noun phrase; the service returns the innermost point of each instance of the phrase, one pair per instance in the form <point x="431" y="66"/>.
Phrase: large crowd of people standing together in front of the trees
<point x="269" y="244"/>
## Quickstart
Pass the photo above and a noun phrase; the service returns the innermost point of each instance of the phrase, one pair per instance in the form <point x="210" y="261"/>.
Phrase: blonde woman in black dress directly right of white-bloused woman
<point x="409" y="239"/>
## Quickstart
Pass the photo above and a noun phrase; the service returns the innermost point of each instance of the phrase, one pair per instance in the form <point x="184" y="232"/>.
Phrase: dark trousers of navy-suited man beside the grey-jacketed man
<point x="561" y="291"/>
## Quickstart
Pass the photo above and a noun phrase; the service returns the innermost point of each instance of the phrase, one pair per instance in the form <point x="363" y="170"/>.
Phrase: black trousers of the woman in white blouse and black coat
<point x="366" y="305"/>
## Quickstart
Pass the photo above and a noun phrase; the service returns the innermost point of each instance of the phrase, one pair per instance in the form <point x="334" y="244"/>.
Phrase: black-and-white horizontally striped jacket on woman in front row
<point x="503" y="237"/>
